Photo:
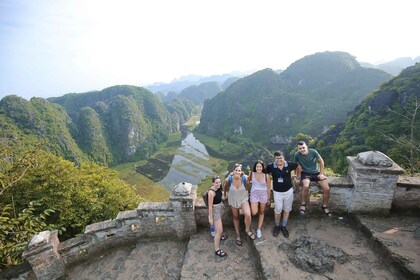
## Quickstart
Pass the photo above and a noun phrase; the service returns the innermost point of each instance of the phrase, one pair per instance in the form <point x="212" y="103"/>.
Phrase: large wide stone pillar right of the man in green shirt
<point x="374" y="176"/>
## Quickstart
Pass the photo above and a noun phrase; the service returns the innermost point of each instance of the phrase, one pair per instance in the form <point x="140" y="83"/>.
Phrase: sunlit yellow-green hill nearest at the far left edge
<point x="26" y="124"/>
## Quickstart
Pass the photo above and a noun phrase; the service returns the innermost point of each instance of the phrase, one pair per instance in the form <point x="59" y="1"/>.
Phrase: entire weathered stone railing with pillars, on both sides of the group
<point x="370" y="187"/>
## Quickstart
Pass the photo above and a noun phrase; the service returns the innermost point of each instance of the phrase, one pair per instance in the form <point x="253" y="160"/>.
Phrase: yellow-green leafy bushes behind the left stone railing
<point x="40" y="191"/>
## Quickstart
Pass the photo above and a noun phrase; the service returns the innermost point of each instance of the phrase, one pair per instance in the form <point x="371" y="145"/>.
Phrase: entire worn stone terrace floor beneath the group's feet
<point x="344" y="247"/>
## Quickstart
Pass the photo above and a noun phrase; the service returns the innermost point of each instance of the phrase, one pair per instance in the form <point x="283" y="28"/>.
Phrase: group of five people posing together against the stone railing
<point x="252" y="193"/>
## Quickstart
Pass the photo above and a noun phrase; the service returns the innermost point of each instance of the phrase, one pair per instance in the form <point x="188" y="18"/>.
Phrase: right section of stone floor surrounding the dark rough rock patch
<point x="398" y="259"/>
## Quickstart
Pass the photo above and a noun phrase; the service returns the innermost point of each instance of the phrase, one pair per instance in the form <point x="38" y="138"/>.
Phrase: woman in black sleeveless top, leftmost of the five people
<point x="216" y="208"/>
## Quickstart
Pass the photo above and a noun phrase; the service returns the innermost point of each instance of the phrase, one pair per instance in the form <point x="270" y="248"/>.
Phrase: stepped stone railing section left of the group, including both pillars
<point x="49" y="258"/>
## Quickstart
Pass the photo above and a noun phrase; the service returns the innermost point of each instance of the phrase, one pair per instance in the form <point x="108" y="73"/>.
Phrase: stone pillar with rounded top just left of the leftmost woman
<point x="183" y="198"/>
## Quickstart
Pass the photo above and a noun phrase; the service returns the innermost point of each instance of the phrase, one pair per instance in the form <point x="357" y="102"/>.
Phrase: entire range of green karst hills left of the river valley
<point x="117" y="124"/>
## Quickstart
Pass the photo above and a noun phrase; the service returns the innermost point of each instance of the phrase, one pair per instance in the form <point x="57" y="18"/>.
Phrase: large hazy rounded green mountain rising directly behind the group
<point x="310" y="95"/>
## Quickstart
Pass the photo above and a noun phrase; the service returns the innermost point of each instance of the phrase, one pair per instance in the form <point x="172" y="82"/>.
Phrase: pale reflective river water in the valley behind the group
<point x="189" y="164"/>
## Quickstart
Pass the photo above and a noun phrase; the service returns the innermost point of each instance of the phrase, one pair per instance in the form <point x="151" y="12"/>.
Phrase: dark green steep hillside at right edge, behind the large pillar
<point x="387" y="120"/>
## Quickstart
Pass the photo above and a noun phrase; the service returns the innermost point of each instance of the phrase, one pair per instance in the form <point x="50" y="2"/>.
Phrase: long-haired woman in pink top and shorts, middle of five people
<point x="260" y="192"/>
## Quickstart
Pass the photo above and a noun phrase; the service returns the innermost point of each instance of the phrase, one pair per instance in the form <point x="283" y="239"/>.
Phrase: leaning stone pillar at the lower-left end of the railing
<point x="42" y="254"/>
